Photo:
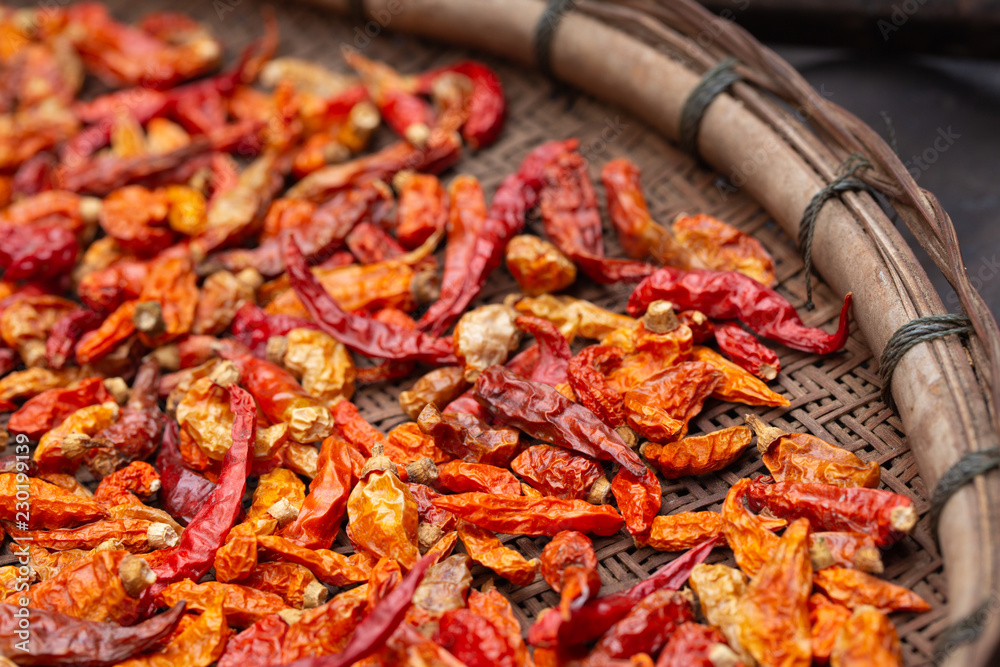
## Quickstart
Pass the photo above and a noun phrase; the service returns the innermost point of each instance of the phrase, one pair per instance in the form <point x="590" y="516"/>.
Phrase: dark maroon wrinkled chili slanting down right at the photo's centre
<point x="544" y="413"/>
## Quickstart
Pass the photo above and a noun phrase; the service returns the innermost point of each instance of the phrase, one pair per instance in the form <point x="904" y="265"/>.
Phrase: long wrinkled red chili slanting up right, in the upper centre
<point x="517" y="194"/>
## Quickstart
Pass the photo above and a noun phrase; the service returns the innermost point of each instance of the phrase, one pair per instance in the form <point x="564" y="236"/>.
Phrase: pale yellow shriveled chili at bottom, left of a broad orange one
<point x="719" y="589"/>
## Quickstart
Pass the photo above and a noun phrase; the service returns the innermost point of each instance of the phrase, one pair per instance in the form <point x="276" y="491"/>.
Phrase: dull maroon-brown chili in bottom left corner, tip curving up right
<point x="60" y="639"/>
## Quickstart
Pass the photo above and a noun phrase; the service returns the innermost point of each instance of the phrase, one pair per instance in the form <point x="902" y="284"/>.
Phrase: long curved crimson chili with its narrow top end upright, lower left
<point x="207" y="531"/>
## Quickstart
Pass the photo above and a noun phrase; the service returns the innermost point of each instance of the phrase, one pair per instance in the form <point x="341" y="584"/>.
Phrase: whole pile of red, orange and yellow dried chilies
<point x="180" y="331"/>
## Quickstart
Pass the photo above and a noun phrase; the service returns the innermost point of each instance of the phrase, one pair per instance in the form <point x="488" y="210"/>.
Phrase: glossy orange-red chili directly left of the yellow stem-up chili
<point x="319" y="519"/>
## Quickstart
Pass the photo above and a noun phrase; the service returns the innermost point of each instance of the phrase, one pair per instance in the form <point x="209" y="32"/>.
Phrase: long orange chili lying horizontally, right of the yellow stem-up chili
<point x="520" y="515"/>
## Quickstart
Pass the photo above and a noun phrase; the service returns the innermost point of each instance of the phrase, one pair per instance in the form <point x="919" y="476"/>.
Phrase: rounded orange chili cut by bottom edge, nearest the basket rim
<point x="868" y="637"/>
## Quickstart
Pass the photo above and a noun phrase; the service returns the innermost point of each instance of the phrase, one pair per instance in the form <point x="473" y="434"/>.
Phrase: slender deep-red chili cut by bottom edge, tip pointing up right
<point x="372" y="633"/>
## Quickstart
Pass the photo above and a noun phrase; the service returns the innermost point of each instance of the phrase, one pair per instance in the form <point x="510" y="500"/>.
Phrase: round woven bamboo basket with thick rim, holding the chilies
<point x="621" y="71"/>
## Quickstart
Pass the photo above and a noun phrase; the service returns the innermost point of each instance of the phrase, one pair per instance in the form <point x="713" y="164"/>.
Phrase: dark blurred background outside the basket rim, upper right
<point x="934" y="71"/>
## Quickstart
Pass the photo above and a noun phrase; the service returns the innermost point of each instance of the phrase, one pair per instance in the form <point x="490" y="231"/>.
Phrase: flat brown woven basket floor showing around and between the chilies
<point x="836" y="398"/>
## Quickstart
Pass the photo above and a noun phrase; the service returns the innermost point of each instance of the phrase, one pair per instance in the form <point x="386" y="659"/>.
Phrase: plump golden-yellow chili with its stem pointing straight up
<point x="382" y="513"/>
